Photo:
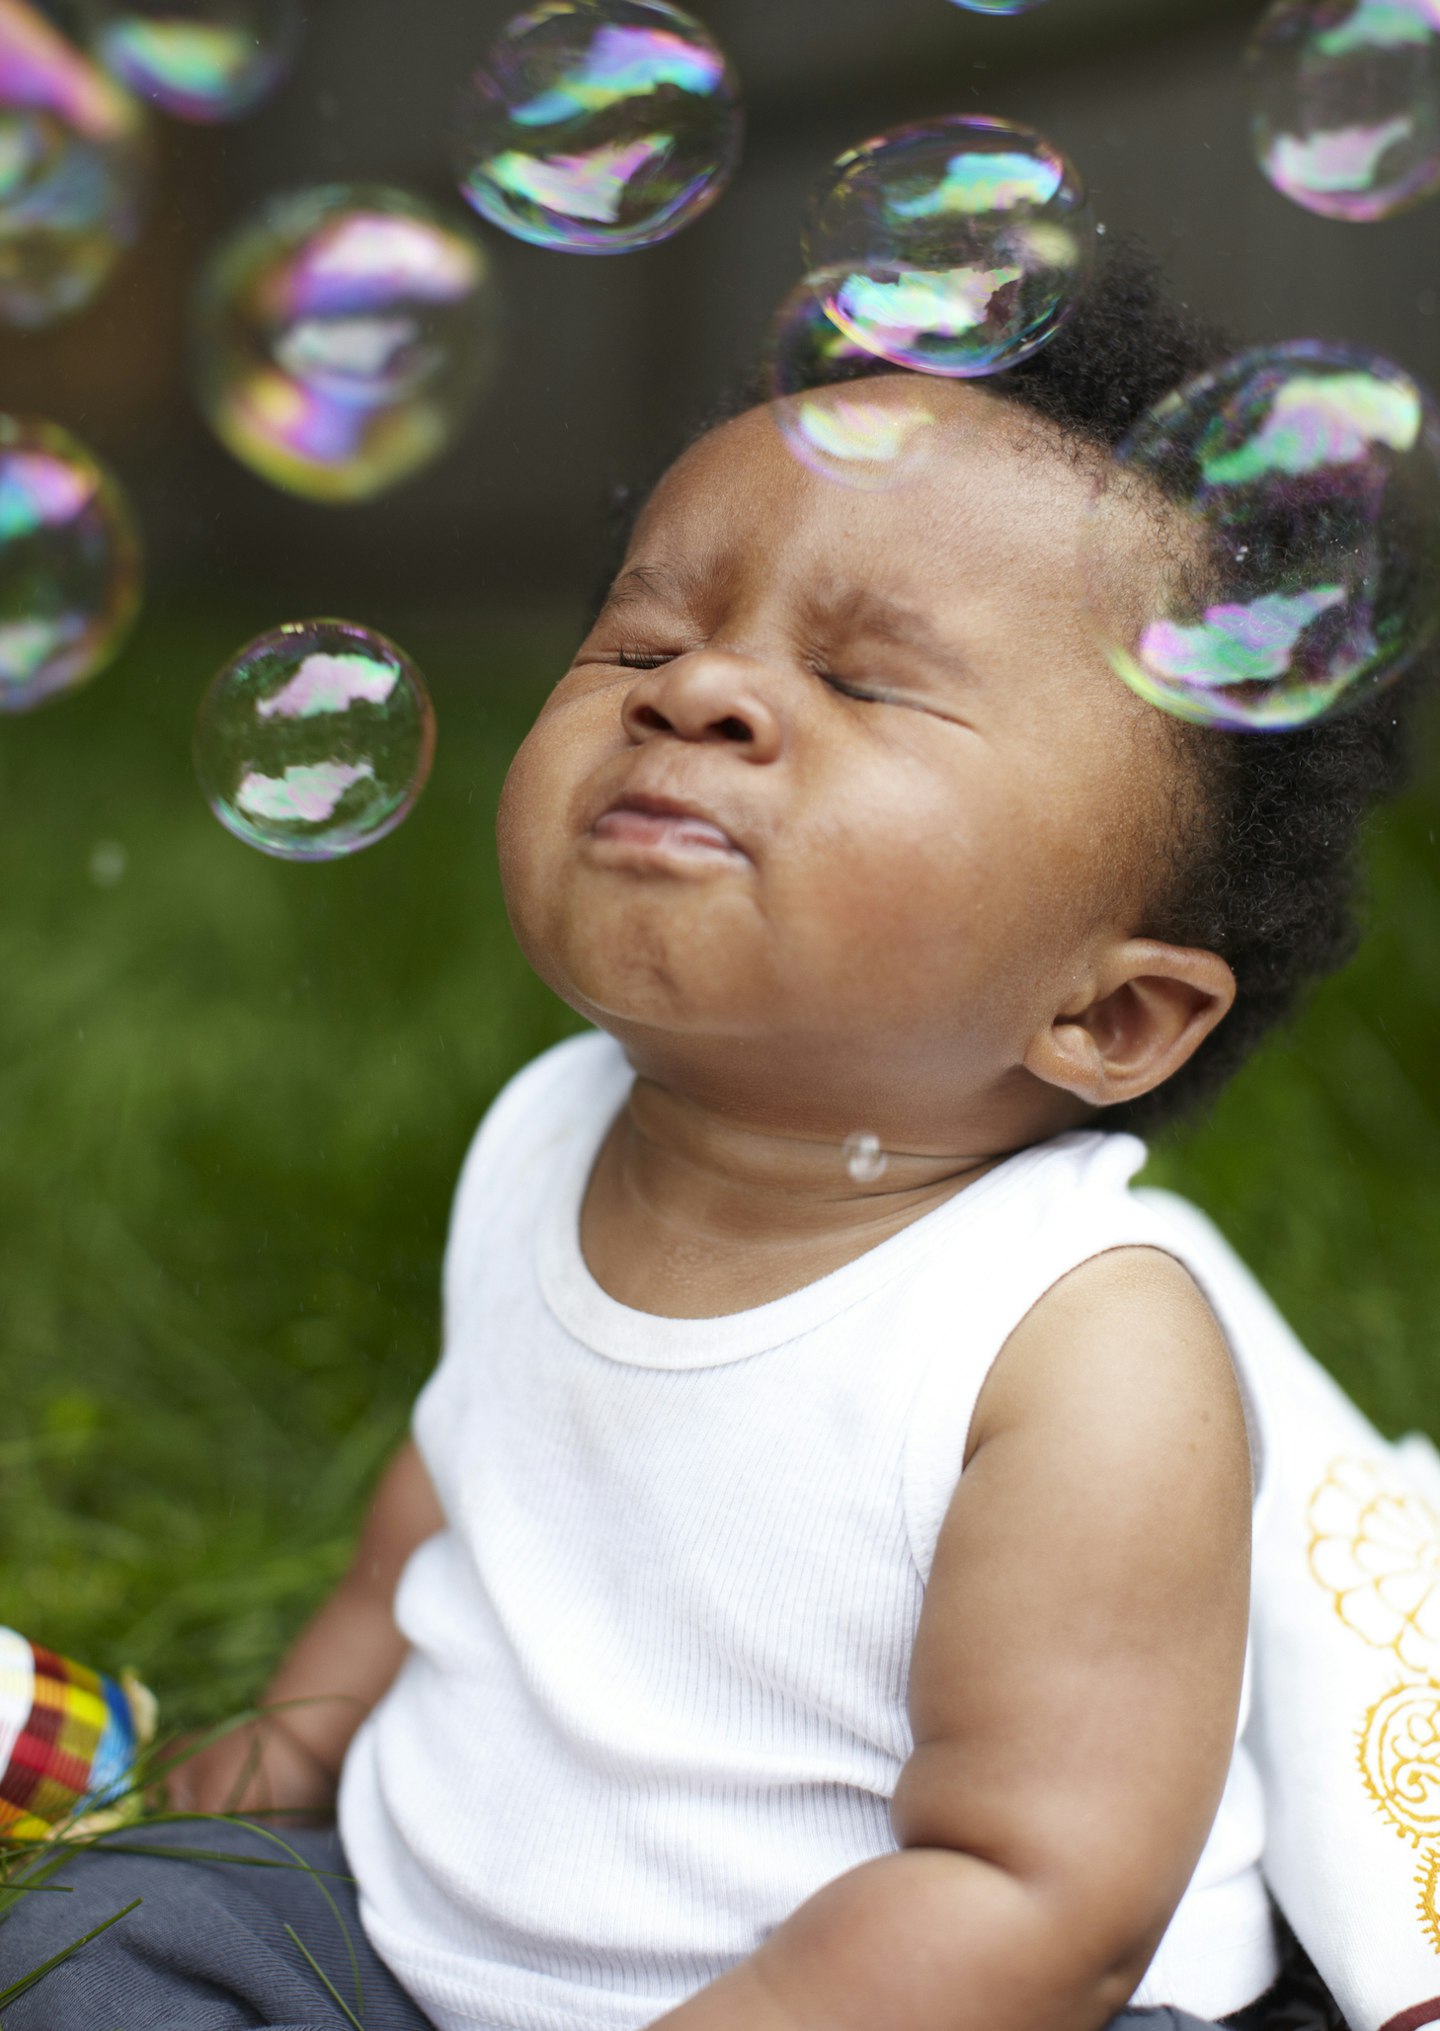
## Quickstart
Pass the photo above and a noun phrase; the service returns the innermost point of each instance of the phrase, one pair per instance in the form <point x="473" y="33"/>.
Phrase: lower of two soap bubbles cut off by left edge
<point x="70" y="564"/>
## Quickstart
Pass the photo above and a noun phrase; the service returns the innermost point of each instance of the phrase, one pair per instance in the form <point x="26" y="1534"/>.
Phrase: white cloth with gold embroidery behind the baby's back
<point x="1346" y="1642"/>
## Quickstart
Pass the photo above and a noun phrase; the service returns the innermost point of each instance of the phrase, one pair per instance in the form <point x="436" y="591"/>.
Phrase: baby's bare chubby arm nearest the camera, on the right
<point x="1073" y="1693"/>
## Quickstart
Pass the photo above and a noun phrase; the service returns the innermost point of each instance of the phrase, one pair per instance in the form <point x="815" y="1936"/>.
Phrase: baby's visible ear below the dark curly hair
<point x="1149" y="1010"/>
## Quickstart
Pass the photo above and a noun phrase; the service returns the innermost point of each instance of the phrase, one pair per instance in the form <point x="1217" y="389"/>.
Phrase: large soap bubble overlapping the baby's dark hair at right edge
<point x="1297" y="505"/>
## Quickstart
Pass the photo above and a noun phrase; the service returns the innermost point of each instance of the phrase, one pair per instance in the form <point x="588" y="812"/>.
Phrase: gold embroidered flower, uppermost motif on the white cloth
<point x="1376" y="1549"/>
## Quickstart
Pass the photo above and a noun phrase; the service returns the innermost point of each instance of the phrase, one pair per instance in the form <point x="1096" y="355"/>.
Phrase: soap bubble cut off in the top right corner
<point x="1348" y="105"/>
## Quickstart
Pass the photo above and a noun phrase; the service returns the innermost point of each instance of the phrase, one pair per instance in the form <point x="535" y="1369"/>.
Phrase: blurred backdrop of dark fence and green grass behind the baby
<point x="235" y="1094"/>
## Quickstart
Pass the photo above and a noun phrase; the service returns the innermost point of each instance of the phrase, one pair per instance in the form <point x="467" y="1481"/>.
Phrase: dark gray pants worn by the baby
<point x="208" y="1947"/>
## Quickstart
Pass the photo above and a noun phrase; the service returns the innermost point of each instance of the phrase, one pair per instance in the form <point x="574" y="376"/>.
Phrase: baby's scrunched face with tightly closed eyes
<point x="842" y="779"/>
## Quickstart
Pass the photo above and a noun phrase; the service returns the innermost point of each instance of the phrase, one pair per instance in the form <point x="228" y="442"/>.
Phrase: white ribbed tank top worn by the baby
<point x="657" y="1681"/>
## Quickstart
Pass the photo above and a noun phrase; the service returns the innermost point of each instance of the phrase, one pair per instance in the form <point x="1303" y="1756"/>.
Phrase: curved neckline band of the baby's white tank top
<point x="655" y="1341"/>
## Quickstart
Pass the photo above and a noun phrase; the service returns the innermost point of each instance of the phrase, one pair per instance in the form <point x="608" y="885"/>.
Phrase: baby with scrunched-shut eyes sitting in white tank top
<point x="817" y="1593"/>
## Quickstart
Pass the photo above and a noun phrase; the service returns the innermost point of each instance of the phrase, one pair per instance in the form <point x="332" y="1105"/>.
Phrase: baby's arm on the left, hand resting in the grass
<point x="344" y="1660"/>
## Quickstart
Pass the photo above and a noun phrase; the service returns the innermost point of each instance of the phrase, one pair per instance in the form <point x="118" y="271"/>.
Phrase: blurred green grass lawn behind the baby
<point x="235" y="1098"/>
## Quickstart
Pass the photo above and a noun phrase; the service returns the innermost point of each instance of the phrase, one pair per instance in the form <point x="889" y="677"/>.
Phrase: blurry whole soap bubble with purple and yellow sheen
<point x="342" y="340"/>
